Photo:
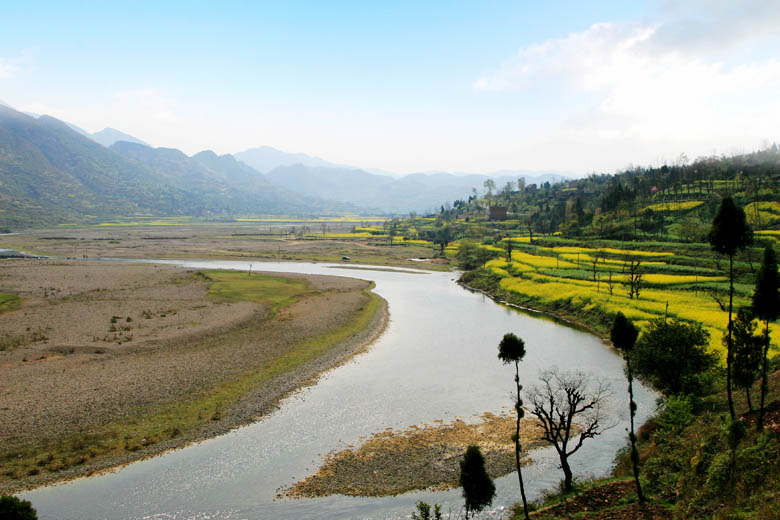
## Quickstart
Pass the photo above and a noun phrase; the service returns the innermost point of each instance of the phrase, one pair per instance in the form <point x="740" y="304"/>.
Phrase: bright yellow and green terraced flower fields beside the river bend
<point x="593" y="284"/>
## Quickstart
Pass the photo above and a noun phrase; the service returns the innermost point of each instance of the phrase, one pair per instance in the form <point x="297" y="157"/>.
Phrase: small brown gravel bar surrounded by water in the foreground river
<point x="394" y="462"/>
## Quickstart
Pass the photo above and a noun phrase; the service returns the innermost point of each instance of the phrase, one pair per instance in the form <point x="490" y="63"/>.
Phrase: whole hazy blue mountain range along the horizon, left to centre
<point x="52" y="172"/>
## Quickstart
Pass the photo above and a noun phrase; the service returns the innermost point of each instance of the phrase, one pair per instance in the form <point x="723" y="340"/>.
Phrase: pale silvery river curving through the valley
<point x="436" y="360"/>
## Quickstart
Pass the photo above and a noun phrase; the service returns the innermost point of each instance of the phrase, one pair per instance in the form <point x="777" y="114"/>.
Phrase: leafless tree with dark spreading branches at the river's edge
<point x="569" y="406"/>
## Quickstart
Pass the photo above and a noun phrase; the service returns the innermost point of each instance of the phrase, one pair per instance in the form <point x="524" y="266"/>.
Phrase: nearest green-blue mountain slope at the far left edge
<point x="51" y="174"/>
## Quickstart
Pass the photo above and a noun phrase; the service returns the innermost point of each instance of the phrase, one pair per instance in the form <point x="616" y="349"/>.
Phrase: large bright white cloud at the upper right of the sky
<point x="625" y="85"/>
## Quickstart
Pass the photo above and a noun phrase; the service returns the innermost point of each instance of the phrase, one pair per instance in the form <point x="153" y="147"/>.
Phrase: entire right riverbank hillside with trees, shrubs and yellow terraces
<point x="650" y="244"/>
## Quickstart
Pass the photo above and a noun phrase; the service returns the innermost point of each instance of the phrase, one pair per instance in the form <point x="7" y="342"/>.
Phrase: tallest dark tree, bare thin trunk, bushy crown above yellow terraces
<point x="730" y="233"/>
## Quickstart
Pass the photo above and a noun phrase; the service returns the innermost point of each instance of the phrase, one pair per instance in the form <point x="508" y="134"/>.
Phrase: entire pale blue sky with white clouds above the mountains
<point x="409" y="86"/>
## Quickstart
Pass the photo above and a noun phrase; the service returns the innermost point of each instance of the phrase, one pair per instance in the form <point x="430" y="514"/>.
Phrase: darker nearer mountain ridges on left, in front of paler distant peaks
<point x="51" y="174"/>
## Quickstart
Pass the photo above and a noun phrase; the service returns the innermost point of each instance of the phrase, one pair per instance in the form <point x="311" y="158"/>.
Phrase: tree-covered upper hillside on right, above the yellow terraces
<point x="670" y="202"/>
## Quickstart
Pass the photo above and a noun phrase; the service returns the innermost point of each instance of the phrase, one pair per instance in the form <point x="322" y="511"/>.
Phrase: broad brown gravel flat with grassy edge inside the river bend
<point x="99" y="344"/>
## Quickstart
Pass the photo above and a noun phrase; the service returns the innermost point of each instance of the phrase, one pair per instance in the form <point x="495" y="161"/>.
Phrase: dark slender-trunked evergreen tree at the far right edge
<point x="766" y="306"/>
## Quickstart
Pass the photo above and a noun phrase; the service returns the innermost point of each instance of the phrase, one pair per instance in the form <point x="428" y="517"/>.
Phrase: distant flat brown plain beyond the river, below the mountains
<point x="241" y="240"/>
